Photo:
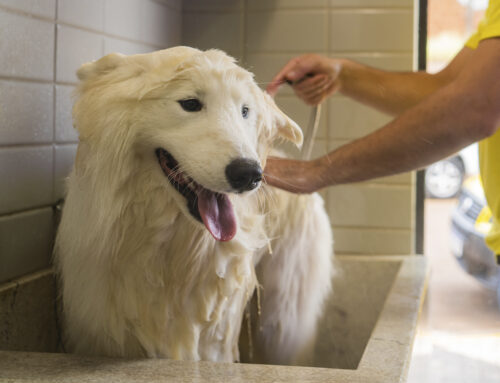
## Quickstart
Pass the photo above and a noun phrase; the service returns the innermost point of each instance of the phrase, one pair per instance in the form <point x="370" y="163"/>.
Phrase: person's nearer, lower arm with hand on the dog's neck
<point x="464" y="111"/>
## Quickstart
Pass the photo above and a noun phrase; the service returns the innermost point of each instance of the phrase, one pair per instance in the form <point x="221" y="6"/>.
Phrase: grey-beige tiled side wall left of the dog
<point x="42" y="43"/>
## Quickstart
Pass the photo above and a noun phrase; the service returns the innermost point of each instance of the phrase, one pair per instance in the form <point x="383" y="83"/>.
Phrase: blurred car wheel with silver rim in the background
<point x="443" y="179"/>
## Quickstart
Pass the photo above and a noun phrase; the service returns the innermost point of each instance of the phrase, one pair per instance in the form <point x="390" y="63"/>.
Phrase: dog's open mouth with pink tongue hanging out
<point x="213" y="209"/>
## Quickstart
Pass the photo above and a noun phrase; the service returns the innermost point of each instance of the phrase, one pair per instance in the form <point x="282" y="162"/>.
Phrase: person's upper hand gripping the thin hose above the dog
<point x="313" y="77"/>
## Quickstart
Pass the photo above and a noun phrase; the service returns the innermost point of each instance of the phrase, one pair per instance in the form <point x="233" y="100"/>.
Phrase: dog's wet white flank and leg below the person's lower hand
<point x="295" y="280"/>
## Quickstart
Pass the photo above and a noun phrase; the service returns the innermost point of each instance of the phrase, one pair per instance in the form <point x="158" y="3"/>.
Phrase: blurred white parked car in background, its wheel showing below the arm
<point x="444" y="178"/>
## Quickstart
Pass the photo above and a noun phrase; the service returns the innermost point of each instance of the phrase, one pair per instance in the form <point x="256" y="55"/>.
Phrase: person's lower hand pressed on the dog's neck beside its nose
<point x="302" y="177"/>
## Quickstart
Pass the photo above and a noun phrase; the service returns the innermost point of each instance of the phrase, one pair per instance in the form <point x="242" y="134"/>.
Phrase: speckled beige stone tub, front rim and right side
<point x="368" y="330"/>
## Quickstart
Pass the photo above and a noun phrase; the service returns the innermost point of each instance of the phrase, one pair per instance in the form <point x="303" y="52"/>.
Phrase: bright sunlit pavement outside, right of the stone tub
<point x="458" y="339"/>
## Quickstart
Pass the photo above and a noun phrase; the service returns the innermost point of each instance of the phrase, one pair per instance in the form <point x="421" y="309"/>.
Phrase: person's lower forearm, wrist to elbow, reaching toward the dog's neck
<point x="434" y="129"/>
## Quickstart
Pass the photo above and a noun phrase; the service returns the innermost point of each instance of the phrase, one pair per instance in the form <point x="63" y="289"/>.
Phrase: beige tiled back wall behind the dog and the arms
<point x="375" y="217"/>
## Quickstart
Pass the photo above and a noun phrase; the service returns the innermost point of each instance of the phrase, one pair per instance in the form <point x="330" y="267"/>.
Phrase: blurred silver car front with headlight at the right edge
<point x="471" y="220"/>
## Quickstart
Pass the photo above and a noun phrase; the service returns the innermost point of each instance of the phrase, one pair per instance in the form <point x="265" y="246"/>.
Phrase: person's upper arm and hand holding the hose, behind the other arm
<point x="390" y="92"/>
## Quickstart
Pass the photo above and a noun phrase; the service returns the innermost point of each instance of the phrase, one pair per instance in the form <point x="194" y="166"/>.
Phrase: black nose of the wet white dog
<point x="244" y="174"/>
